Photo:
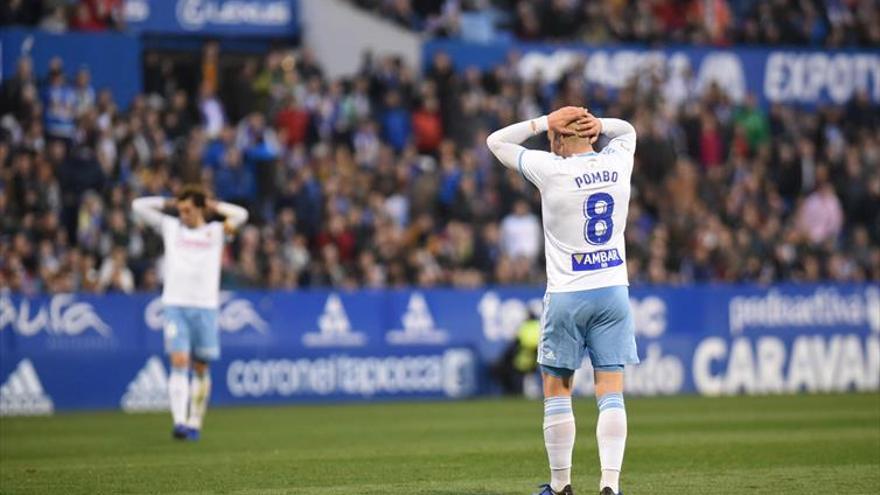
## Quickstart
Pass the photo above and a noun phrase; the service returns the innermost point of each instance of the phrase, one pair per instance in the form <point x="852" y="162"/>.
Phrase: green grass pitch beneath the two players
<point x="743" y="445"/>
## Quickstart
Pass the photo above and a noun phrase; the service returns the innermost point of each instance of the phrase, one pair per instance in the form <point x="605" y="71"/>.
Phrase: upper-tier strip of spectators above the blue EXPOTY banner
<point x="831" y="23"/>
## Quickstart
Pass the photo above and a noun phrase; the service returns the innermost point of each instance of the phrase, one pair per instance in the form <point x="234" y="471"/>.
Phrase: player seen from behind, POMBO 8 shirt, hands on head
<point x="584" y="201"/>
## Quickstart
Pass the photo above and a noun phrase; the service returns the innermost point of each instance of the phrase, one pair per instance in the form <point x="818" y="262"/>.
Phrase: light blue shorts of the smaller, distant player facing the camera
<point x="192" y="330"/>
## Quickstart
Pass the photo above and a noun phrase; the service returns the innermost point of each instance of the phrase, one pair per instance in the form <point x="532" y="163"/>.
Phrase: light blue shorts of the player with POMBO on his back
<point x="598" y="321"/>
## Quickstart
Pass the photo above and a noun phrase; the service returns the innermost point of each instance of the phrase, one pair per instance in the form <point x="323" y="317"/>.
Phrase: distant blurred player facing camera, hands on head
<point x="190" y="295"/>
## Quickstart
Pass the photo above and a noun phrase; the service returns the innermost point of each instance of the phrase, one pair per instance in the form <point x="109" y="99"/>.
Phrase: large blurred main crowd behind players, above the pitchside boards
<point x="384" y="179"/>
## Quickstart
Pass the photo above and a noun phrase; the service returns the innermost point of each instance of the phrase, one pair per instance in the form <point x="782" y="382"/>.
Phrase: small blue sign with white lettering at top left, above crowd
<point x="256" y="18"/>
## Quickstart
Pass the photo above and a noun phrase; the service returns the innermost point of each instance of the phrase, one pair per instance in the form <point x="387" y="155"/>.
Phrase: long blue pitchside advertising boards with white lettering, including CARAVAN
<point x="67" y="351"/>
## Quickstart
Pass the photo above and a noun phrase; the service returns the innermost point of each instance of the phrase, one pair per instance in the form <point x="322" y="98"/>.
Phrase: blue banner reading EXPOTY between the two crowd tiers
<point x="795" y="76"/>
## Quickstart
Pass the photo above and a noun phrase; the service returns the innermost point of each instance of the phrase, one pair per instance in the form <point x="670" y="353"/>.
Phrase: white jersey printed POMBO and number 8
<point x="584" y="203"/>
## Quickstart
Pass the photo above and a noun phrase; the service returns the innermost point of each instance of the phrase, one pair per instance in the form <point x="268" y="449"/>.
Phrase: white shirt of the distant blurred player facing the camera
<point x="191" y="266"/>
